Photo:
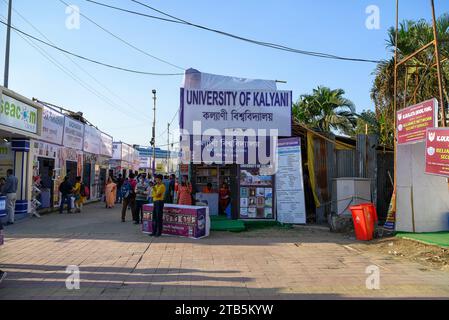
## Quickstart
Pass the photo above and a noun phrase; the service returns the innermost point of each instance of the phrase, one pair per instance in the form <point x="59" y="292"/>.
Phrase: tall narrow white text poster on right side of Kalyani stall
<point x="289" y="182"/>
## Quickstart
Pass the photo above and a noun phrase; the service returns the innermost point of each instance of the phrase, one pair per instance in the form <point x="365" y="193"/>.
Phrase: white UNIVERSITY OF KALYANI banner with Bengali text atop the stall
<point x="233" y="109"/>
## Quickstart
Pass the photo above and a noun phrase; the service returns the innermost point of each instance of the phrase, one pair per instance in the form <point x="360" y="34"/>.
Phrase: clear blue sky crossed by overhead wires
<point x="336" y="27"/>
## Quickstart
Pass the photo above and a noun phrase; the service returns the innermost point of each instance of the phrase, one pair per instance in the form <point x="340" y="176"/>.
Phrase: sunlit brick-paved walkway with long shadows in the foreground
<point x="117" y="261"/>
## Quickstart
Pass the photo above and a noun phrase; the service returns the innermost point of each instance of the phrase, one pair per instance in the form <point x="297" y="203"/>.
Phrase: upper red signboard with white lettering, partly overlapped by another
<point x="413" y="121"/>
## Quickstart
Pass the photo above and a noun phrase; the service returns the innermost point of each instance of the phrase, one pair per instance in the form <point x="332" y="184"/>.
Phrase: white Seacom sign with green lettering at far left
<point x="18" y="115"/>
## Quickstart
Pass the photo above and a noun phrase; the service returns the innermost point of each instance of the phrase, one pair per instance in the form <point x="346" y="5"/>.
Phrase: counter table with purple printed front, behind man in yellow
<point x="179" y="220"/>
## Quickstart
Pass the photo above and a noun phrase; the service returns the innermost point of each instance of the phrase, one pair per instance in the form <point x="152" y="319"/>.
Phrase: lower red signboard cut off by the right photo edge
<point x="437" y="151"/>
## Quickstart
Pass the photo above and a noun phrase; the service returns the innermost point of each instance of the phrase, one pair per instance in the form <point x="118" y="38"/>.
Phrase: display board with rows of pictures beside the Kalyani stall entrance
<point x="256" y="193"/>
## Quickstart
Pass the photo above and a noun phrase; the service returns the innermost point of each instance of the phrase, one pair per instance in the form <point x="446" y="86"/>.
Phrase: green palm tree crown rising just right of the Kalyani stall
<point x="326" y="110"/>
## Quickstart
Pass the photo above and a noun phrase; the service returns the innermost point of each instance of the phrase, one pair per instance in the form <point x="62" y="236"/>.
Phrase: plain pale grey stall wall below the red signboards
<point x="424" y="196"/>
